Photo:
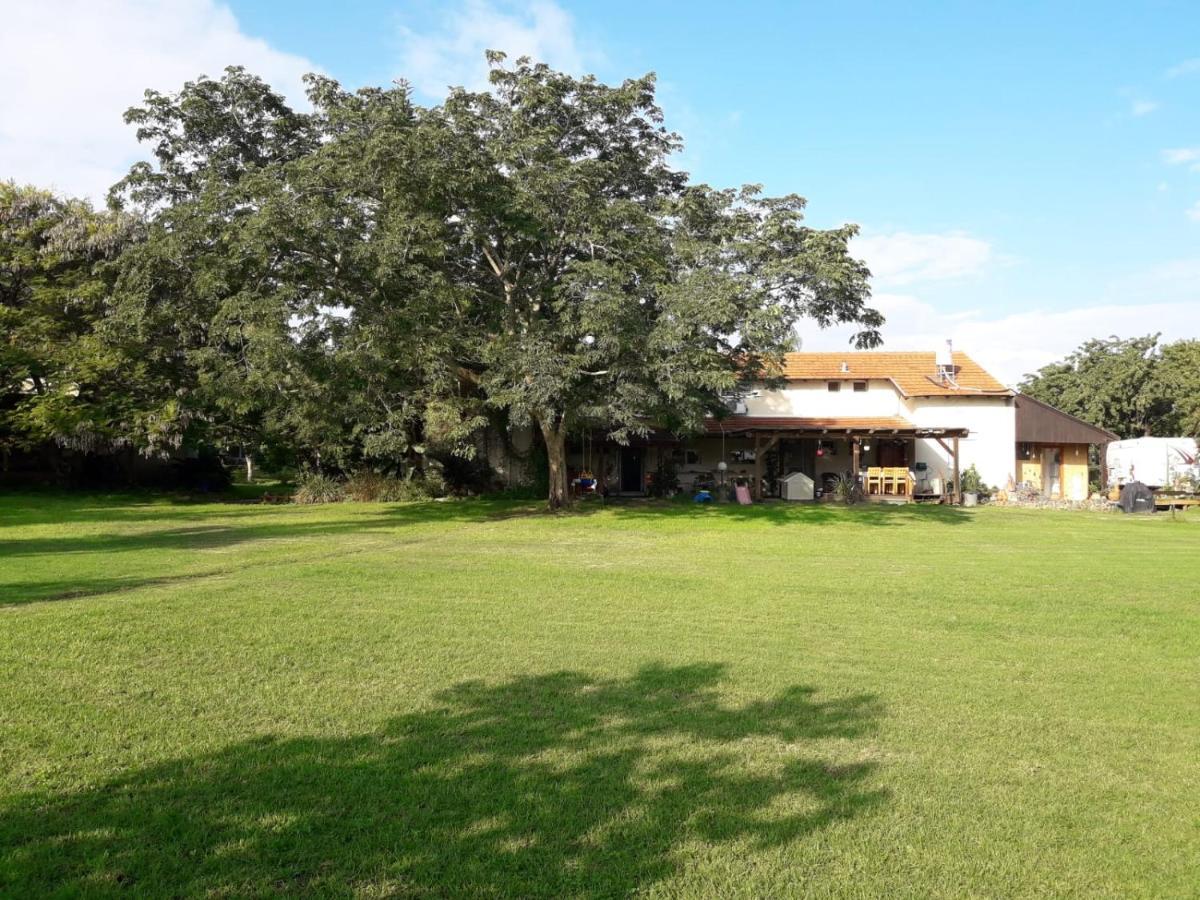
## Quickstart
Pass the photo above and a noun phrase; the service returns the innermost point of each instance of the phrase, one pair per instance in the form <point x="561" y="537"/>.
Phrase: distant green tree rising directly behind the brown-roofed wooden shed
<point x="1111" y="383"/>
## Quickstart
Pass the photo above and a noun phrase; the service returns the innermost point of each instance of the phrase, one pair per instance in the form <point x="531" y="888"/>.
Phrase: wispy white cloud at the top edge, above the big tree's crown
<point x="452" y="55"/>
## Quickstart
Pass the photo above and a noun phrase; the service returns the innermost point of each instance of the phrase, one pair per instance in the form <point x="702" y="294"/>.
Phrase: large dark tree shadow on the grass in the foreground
<point x="554" y="785"/>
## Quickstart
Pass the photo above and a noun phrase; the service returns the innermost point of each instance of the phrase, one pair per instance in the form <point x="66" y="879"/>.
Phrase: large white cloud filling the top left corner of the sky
<point x="70" y="69"/>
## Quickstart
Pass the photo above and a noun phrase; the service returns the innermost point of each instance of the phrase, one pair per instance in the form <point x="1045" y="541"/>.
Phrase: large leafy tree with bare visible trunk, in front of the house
<point x="607" y="292"/>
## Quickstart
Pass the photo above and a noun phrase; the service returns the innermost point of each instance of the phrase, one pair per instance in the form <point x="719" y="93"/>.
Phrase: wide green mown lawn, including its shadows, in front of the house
<point x="481" y="700"/>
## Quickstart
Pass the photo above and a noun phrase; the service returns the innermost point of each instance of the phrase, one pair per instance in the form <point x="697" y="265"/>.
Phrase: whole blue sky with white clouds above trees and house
<point x="1025" y="176"/>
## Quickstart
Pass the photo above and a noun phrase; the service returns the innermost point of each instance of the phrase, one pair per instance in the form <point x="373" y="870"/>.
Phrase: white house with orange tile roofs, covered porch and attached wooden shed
<point x="909" y="423"/>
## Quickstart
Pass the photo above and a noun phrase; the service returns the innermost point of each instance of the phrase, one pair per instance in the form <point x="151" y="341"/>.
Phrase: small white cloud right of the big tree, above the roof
<point x="905" y="259"/>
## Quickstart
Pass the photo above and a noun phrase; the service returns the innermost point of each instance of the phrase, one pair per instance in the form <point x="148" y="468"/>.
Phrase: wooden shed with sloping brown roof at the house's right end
<point x="1053" y="449"/>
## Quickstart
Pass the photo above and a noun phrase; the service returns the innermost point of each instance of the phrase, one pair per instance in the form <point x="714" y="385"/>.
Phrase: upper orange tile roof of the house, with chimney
<point x="915" y="375"/>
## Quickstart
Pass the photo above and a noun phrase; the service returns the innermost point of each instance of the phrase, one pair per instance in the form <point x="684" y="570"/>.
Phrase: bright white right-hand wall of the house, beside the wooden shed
<point x="992" y="446"/>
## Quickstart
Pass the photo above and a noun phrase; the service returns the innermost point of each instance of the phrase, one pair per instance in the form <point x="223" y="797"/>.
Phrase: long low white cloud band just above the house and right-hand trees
<point x="1011" y="345"/>
